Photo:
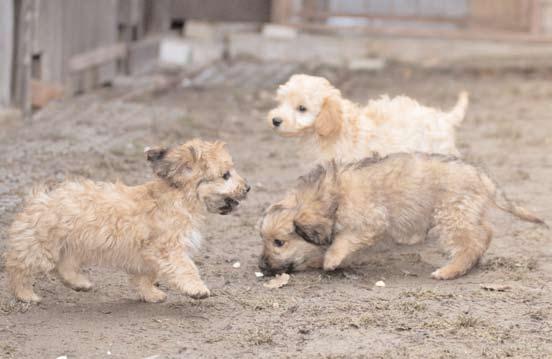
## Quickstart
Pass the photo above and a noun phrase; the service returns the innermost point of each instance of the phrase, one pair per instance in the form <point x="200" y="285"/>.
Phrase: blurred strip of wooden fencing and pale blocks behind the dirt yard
<point x="55" y="48"/>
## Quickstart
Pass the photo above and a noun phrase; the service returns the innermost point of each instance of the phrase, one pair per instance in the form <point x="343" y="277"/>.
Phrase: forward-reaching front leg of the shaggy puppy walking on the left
<point x="182" y="274"/>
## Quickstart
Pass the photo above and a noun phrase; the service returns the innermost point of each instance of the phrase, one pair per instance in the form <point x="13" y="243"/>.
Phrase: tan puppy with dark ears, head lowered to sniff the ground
<point x="339" y="209"/>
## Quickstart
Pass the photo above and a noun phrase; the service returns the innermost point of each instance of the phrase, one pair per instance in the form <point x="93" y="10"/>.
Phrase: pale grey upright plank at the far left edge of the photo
<point x="6" y="50"/>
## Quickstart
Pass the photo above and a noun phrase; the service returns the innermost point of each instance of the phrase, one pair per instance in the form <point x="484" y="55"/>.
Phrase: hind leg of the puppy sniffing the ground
<point x="468" y="246"/>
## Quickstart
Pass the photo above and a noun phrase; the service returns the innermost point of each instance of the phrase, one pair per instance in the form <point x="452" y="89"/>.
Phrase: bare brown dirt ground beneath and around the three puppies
<point x="508" y="131"/>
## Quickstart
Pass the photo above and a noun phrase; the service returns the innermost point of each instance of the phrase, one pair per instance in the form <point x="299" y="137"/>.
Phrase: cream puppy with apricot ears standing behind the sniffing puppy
<point x="311" y="108"/>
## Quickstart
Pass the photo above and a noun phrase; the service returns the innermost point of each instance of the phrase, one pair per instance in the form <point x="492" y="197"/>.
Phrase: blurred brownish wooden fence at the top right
<point x="525" y="20"/>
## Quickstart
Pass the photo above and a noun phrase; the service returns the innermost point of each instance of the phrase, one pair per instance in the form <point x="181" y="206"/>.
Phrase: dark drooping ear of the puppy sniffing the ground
<point x="313" y="228"/>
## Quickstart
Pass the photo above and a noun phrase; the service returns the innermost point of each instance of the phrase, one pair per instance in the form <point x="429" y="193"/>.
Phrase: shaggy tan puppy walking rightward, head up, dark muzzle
<point x="148" y="230"/>
